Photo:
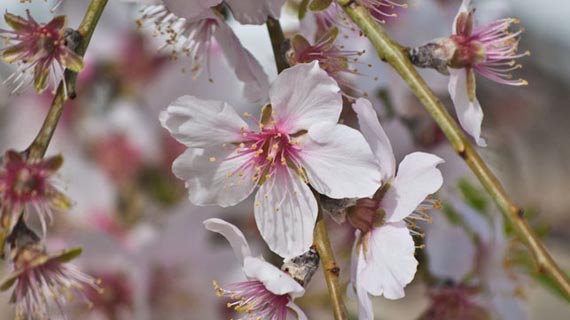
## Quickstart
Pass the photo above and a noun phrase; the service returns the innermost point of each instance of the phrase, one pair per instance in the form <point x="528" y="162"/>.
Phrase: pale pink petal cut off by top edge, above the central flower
<point x="255" y="11"/>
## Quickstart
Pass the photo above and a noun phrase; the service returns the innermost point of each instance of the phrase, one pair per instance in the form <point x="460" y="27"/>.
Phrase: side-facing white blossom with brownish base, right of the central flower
<point x="383" y="260"/>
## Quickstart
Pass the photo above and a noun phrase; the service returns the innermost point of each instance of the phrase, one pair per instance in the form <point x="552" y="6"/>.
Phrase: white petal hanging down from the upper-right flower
<point x="469" y="113"/>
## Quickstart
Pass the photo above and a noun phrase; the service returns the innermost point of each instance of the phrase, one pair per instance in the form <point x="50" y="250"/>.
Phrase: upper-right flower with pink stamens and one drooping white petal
<point x="491" y="51"/>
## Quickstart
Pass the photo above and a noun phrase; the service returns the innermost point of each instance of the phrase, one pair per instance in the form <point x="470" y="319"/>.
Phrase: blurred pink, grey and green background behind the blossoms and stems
<point x="145" y="240"/>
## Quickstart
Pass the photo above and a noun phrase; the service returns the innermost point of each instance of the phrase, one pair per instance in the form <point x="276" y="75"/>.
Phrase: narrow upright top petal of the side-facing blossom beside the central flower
<point x="376" y="137"/>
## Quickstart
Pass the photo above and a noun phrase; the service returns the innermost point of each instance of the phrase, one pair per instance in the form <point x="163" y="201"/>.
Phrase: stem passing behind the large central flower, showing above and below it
<point x="320" y="237"/>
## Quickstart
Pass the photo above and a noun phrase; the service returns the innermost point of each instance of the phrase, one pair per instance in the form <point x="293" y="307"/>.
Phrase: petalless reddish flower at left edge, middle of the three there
<point x="30" y="184"/>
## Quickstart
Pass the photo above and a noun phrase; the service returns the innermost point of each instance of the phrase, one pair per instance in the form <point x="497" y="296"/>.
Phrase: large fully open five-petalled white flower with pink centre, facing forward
<point x="297" y="141"/>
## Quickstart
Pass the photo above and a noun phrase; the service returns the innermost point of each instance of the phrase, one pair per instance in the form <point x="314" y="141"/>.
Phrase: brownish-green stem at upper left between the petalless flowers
<point x="39" y="146"/>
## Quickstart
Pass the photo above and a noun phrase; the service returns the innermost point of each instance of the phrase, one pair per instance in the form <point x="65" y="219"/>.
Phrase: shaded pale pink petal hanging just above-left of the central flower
<point x="246" y="67"/>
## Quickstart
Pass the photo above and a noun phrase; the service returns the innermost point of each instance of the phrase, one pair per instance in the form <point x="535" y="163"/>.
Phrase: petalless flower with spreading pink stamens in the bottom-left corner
<point x="42" y="279"/>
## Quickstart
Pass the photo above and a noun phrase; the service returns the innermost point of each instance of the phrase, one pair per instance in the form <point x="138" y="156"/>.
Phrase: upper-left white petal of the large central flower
<point x="201" y="123"/>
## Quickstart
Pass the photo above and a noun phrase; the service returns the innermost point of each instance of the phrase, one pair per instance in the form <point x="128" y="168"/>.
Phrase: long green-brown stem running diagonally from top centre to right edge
<point x="396" y="55"/>
